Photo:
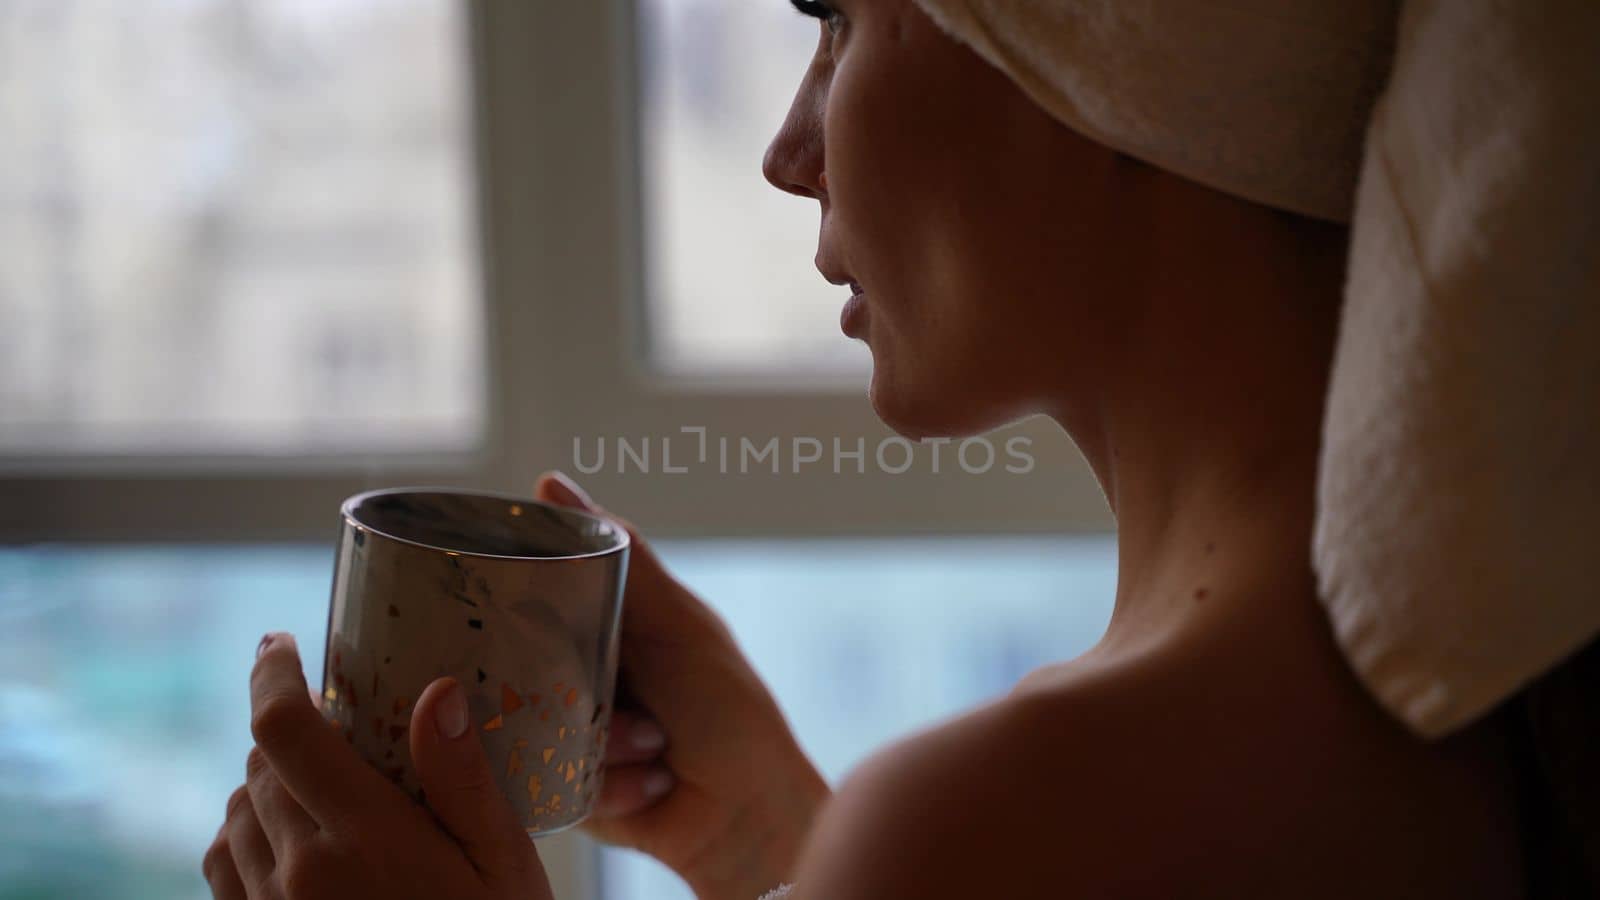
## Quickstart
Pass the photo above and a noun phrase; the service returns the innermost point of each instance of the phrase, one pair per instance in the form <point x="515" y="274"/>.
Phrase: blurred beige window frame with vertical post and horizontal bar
<point x="559" y="161"/>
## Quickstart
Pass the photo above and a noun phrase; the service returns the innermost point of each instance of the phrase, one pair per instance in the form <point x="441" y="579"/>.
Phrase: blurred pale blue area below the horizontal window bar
<point x="124" y="697"/>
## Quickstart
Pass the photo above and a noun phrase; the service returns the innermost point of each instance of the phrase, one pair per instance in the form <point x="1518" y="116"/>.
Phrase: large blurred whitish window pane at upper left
<point x="238" y="225"/>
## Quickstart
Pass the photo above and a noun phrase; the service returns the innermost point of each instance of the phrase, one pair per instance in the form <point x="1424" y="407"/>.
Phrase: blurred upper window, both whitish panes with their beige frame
<point x="334" y="321"/>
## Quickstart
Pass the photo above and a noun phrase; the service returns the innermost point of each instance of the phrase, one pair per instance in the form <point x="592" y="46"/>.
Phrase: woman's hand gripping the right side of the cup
<point x="702" y="769"/>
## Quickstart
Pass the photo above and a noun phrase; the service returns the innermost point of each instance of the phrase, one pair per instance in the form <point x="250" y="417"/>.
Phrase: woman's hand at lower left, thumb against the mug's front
<point x="316" y="822"/>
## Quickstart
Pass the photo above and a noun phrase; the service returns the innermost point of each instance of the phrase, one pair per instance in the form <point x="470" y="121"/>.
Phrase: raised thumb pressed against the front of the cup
<point x="460" y="785"/>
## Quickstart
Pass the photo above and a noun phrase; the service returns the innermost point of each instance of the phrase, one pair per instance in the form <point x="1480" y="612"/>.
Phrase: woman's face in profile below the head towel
<point x="980" y="233"/>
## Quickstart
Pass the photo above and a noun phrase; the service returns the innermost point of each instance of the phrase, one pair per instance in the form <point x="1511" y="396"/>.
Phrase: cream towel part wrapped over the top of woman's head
<point x="1266" y="100"/>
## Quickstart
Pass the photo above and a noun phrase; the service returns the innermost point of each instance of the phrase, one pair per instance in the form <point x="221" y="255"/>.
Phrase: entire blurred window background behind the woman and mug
<point x="260" y="255"/>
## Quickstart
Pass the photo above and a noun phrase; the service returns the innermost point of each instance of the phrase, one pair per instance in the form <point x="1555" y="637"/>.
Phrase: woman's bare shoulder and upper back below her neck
<point x="1167" y="777"/>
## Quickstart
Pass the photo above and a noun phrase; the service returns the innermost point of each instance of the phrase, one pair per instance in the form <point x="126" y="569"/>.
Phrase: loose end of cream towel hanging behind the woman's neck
<point x="1458" y="544"/>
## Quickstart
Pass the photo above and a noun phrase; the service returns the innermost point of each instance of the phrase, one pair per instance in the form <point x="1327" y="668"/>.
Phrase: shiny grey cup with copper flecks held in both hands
<point x="518" y="600"/>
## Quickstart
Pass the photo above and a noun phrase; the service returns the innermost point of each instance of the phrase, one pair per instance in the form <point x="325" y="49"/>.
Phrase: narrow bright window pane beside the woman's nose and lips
<point x="729" y="259"/>
